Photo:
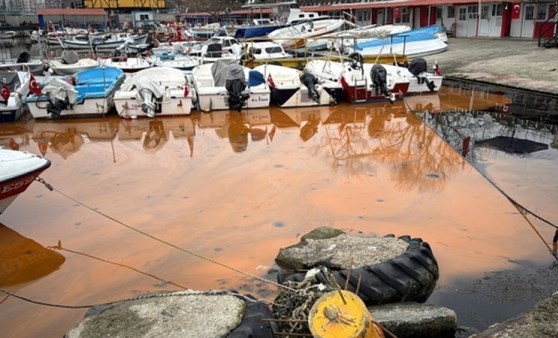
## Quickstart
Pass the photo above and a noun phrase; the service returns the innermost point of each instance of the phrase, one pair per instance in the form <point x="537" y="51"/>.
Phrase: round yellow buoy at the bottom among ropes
<point x="342" y="314"/>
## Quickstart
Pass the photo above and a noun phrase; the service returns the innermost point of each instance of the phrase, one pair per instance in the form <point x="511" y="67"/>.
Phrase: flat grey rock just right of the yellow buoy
<point x="415" y="320"/>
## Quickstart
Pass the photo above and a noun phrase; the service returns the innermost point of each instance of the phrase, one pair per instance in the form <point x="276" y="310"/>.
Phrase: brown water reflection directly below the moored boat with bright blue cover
<point x="66" y="137"/>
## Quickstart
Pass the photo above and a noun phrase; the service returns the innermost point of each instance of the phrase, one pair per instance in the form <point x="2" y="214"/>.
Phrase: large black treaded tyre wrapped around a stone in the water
<point x="409" y="277"/>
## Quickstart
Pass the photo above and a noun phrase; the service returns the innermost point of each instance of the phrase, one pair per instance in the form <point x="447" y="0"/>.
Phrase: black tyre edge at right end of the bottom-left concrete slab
<point x="253" y="323"/>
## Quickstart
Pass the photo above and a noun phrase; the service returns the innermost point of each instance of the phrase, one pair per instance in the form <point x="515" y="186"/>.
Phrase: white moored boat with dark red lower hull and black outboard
<point x="363" y="82"/>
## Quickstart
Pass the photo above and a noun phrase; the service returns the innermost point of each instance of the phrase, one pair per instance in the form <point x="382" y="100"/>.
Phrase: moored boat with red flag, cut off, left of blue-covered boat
<point x="14" y="87"/>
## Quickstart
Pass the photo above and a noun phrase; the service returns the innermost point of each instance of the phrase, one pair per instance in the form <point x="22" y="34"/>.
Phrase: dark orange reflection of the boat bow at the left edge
<point x="23" y="260"/>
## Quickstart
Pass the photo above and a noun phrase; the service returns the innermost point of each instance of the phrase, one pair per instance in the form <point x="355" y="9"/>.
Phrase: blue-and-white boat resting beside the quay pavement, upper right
<point x="414" y="43"/>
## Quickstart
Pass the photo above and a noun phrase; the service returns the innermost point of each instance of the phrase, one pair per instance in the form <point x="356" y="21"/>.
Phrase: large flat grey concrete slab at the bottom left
<point x="175" y="314"/>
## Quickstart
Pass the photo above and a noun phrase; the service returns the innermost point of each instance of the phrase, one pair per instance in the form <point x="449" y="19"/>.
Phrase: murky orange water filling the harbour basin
<point x="127" y="195"/>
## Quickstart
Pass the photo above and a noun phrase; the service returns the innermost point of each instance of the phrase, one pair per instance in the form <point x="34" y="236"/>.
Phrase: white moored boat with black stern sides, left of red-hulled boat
<point x="293" y="88"/>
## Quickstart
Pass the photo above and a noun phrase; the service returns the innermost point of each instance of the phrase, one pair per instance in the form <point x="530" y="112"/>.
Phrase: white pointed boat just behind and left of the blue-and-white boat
<point x="295" y="36"/>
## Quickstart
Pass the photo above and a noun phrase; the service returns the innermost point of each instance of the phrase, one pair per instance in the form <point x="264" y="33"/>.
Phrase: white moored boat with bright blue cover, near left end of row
<point x="87" y="93"/>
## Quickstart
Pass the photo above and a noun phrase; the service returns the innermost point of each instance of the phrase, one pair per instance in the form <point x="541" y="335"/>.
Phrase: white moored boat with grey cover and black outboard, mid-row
<point x="209" y="82"/>
